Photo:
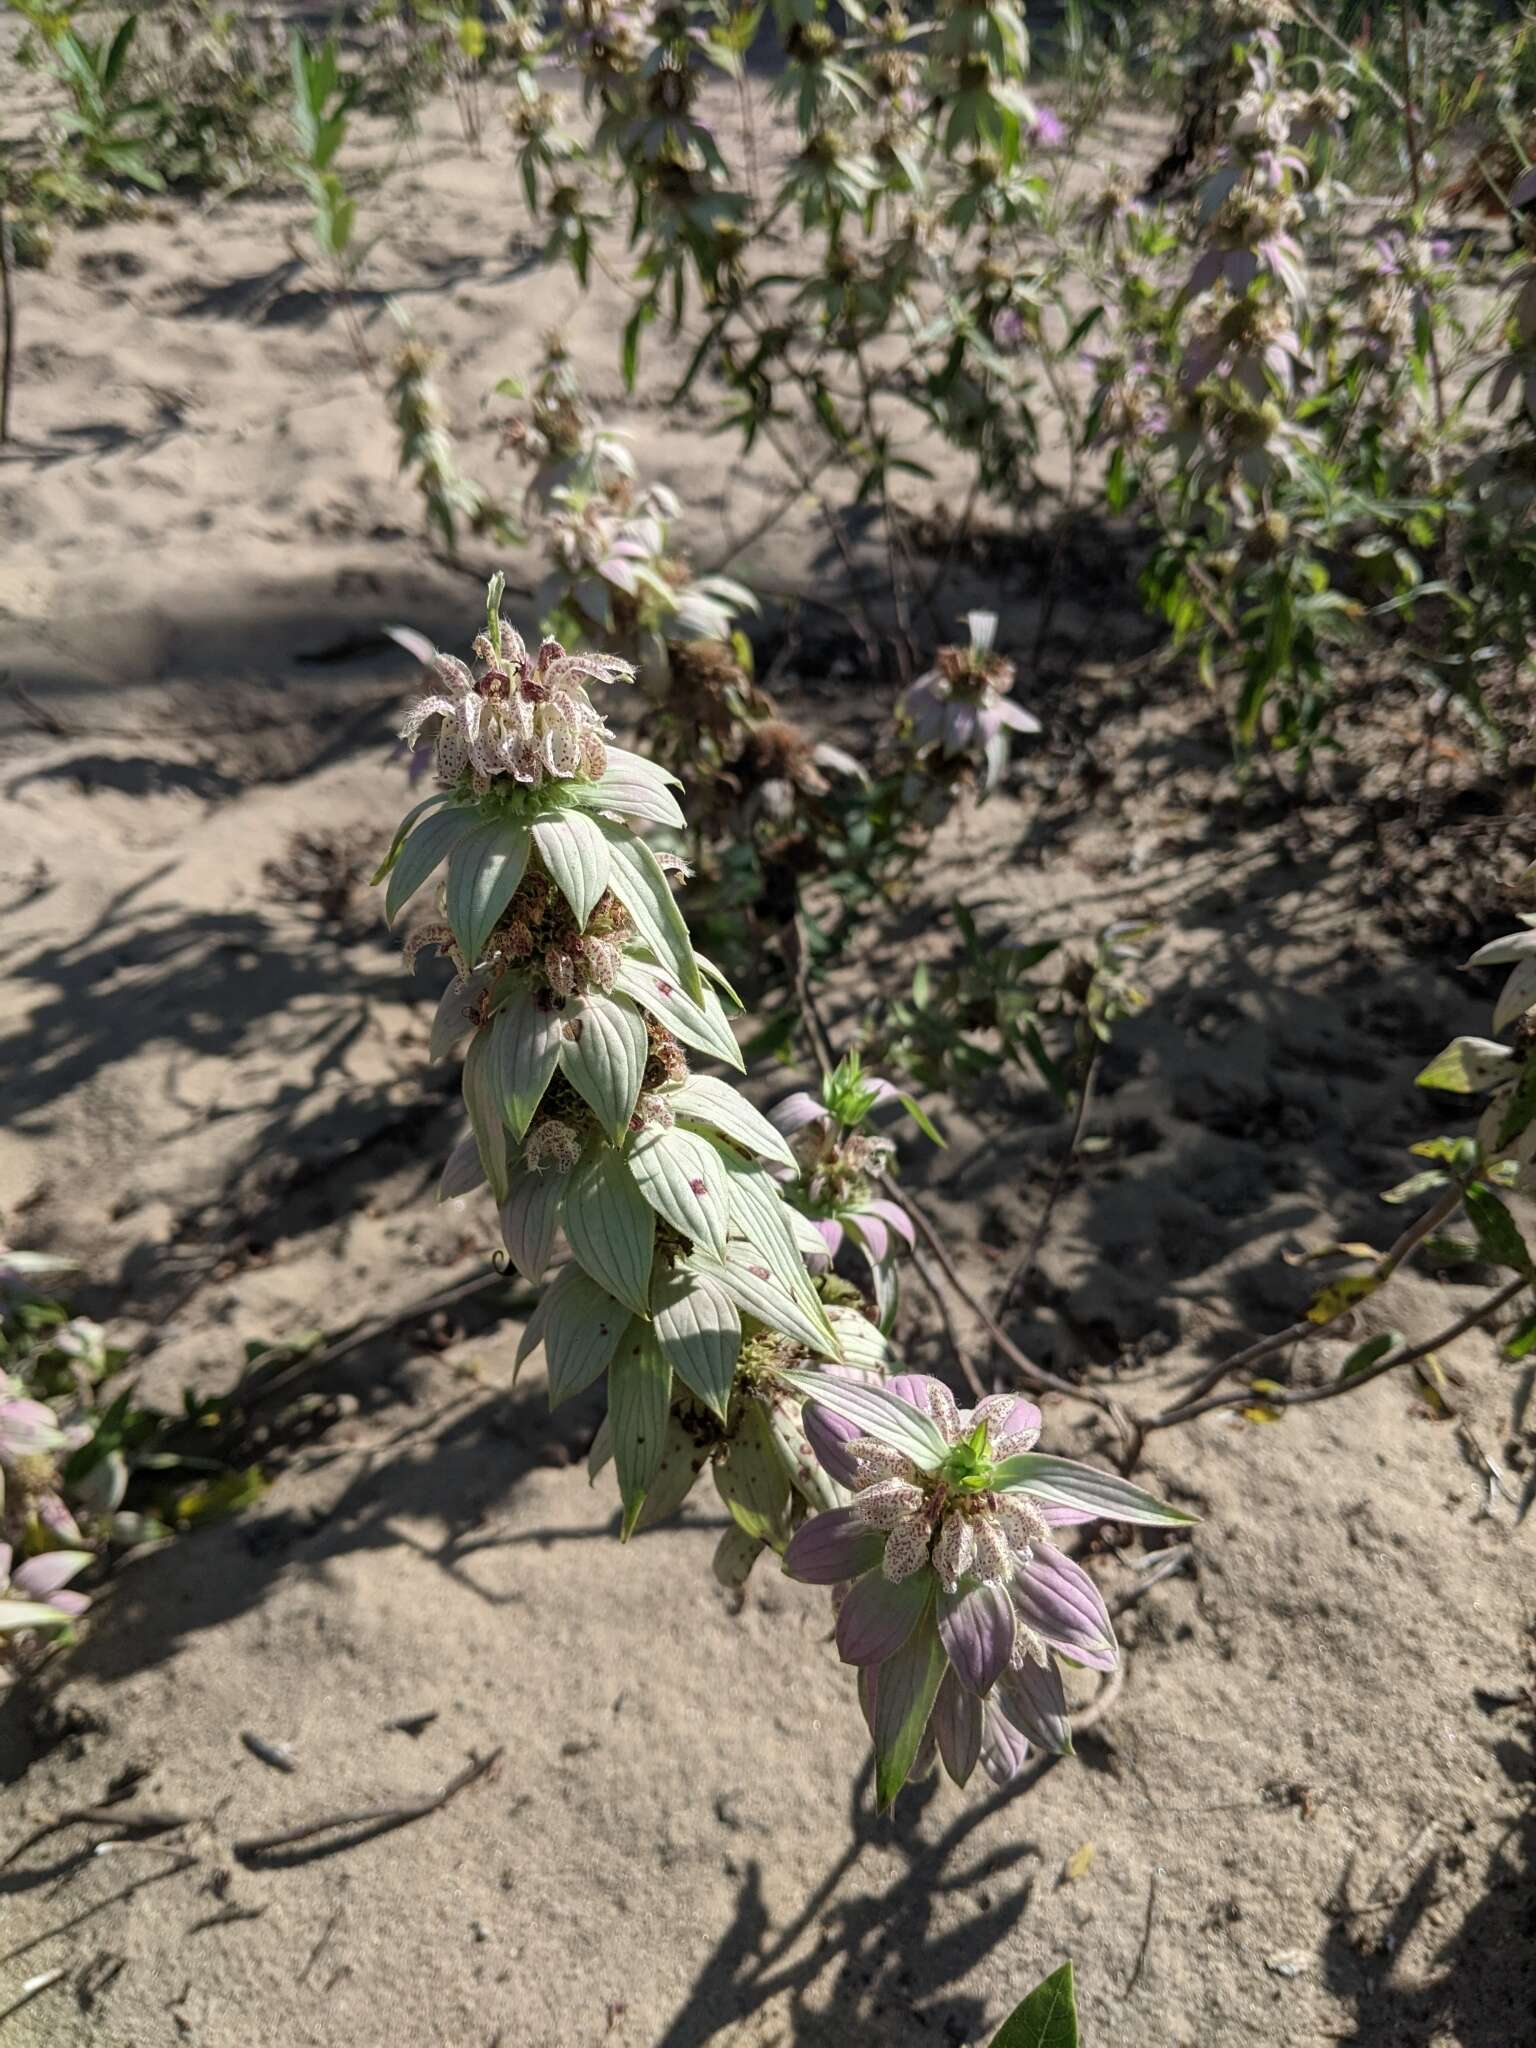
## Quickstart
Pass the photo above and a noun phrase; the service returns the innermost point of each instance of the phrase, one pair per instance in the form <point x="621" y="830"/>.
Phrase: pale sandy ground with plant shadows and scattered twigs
<point x="1310" y="1818"/>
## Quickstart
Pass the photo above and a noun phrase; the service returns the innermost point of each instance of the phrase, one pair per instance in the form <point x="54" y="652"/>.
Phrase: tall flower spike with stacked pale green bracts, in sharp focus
<point x="587" y="1005"/>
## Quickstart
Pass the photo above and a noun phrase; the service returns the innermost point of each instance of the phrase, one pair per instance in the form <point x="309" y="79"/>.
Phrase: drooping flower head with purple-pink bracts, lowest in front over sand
<point x="953" y="1603"/>
